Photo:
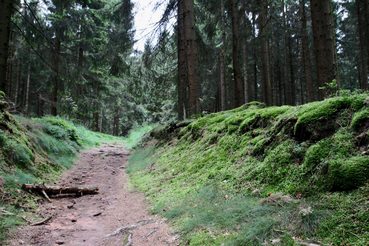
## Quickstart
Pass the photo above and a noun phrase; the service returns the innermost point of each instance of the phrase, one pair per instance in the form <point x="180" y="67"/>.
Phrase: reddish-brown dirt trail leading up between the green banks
<point x="116" y="216"/>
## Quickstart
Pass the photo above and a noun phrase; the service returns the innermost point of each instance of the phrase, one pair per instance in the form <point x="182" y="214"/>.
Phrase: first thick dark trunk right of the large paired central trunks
<point x="236" y="52"/>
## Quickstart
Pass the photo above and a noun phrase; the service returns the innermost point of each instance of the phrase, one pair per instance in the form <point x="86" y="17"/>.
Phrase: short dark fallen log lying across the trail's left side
<point x="53" y="191"/>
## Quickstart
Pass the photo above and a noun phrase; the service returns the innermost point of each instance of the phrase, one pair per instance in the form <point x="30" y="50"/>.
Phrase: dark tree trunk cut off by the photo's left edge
<point x="5" y="17"/>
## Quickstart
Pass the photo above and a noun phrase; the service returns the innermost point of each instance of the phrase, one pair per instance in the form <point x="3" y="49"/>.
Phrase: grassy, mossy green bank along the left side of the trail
<point x="35" y="151"/>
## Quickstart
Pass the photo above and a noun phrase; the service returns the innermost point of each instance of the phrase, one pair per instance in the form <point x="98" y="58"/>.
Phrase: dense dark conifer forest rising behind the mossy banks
<point x="76" y="58"/>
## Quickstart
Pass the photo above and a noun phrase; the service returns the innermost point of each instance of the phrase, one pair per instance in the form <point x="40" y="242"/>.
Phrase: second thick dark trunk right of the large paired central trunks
<point x="266" y="84"/>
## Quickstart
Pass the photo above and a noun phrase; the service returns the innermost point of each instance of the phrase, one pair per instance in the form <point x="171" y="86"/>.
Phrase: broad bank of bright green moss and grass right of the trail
<point x="263" y="175"/>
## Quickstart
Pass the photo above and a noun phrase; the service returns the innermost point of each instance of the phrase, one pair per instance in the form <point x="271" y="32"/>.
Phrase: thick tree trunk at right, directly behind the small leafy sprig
<point x="324" y="42"/>
